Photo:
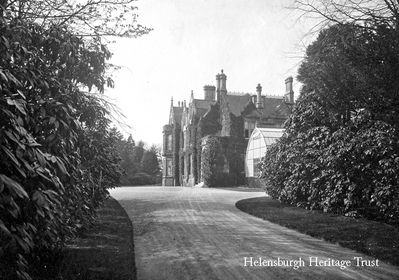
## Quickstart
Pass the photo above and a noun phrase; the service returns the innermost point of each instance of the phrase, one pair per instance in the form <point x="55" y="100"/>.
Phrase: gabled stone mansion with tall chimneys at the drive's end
<point x="230" y="117"/>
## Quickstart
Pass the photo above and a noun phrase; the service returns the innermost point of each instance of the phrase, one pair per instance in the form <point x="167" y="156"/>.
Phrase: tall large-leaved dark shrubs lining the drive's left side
<point x="57" y="151"/>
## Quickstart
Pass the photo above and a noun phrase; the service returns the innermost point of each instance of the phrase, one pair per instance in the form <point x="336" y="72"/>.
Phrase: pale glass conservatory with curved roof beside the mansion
<point x="260" y="140"/>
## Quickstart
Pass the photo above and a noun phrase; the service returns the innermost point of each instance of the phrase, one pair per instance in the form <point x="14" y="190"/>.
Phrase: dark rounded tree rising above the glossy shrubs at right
<point x="352" y="69"/>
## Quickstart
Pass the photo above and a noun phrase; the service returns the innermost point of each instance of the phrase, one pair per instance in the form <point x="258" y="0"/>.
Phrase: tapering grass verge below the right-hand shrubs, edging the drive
<point x="372" y="238"/>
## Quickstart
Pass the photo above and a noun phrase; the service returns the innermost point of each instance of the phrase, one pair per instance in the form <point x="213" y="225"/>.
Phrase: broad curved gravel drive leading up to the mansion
<point x="193" y="233"/>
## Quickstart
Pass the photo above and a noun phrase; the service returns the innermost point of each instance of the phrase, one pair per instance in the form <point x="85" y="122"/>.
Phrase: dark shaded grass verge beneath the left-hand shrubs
<point x="104" y="251"/>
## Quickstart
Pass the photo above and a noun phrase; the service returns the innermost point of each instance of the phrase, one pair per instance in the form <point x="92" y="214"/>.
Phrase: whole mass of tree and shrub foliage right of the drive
<point x="340" y="152"/>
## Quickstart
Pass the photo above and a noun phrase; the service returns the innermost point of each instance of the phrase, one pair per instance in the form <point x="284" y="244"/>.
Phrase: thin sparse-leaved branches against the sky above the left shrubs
<point x="93" y="18"/>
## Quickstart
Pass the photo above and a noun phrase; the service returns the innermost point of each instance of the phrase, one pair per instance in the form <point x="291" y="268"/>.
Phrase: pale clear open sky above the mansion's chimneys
<point x="253" y="41"/>
